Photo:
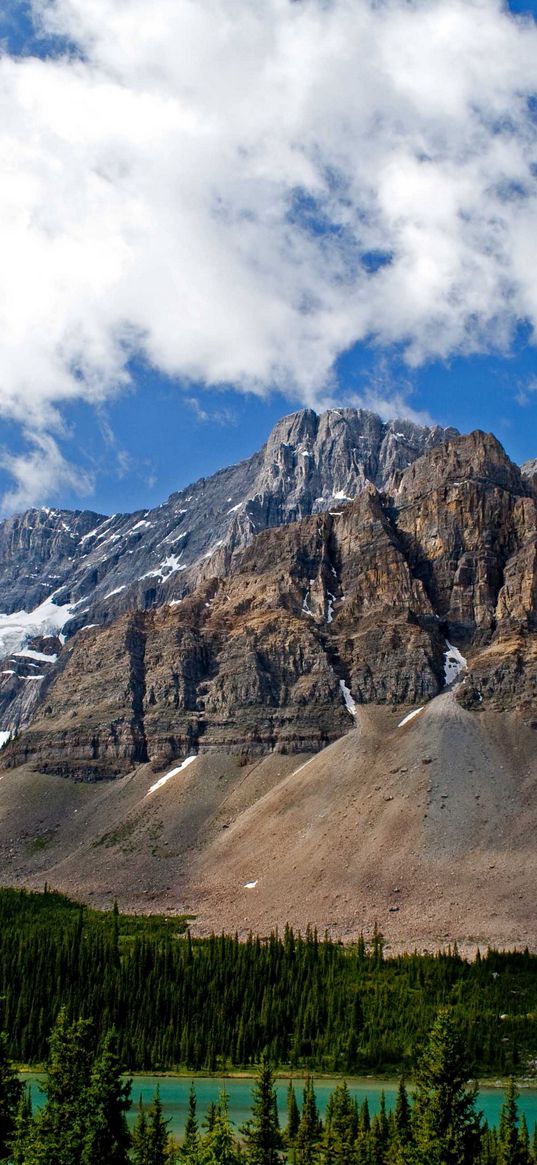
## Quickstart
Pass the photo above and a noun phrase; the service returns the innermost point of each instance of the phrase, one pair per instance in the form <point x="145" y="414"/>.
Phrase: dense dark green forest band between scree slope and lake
<point x="215" y="1004"/>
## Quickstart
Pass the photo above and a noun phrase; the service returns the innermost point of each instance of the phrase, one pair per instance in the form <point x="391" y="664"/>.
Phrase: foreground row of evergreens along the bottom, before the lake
<point x="84" y="1119"/>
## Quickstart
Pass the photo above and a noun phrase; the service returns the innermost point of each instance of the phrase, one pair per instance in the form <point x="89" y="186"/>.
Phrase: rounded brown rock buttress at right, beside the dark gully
<point x="461" y="516"/>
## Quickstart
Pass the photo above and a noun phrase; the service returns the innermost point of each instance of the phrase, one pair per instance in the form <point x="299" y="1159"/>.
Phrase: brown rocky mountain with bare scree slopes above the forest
<point x="337" y="725"/>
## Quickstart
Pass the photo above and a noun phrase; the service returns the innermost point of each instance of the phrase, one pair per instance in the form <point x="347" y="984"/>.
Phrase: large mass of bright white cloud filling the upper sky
<point x="238" y="192"/>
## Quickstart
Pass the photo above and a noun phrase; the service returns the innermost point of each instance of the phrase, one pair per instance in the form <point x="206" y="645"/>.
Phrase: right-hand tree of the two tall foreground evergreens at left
<point x="108" y="1140"/>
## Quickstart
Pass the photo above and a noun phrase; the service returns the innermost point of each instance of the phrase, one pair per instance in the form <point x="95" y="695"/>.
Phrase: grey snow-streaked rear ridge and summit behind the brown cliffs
<point x="98" y="568"/>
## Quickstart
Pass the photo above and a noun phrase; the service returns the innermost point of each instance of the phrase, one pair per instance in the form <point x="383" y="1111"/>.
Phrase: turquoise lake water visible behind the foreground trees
<point x="175" y="1097"/>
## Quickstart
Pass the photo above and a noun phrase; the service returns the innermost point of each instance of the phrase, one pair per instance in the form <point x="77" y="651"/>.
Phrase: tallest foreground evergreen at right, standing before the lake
<point x="447" y="1127"/>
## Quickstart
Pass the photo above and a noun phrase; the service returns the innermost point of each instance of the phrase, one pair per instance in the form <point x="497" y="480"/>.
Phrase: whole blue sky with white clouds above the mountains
<point x="165" y="308"/>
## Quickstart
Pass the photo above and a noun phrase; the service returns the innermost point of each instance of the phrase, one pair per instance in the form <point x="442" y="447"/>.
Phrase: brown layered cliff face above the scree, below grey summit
<point x="354" y="605"/>
